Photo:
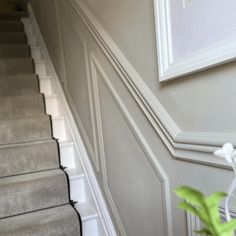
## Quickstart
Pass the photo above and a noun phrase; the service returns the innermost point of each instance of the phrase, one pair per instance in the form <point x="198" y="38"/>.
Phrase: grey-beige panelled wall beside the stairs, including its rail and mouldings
<point x="132" y="148"/>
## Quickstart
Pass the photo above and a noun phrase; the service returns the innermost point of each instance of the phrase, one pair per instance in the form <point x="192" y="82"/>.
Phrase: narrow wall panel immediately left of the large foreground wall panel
<point x="79" y="87"/>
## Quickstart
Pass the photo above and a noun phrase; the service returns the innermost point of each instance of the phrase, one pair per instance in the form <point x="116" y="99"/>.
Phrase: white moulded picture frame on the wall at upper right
<point x="214" y="55"/>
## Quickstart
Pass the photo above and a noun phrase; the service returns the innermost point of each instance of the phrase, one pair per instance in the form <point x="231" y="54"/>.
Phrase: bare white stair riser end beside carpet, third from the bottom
<point x="67" y="155"/>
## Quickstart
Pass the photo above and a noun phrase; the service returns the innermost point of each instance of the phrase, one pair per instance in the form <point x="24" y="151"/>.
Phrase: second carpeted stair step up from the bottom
<point x="31" y="192"/>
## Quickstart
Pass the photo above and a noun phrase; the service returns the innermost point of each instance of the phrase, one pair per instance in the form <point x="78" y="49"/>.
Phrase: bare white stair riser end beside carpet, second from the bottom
<point x="77" y="189"/>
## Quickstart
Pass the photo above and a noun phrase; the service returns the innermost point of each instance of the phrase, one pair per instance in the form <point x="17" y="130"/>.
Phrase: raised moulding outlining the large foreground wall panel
<point x="160" y="173"/>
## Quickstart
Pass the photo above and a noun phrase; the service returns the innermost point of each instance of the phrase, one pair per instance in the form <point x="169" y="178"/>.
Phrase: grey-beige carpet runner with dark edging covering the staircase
<point x="34" y="190"/>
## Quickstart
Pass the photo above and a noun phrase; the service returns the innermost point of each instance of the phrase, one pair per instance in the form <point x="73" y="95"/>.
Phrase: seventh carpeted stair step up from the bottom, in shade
<point x="16" y="66"/>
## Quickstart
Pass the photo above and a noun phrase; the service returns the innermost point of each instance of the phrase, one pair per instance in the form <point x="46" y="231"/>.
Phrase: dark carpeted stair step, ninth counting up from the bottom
<point x="13" y="38"/>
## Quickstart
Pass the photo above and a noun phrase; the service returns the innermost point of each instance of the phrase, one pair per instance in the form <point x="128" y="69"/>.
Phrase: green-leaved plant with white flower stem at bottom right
<point x="207" y="207"/>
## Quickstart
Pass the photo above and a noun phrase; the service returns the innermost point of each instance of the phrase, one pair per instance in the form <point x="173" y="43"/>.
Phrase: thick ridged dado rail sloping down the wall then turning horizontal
<point x="194" y="147"/>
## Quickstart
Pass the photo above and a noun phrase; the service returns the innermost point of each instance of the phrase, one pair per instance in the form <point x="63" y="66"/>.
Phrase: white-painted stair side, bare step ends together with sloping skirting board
<point x="84" y="188"/>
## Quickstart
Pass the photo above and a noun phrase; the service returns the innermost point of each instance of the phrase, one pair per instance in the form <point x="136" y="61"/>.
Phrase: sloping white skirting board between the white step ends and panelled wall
<point x="103" y="212"/>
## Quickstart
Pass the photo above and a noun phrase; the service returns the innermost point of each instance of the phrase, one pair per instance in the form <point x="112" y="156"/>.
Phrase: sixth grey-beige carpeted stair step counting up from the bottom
<point x="18" y="84"/>
